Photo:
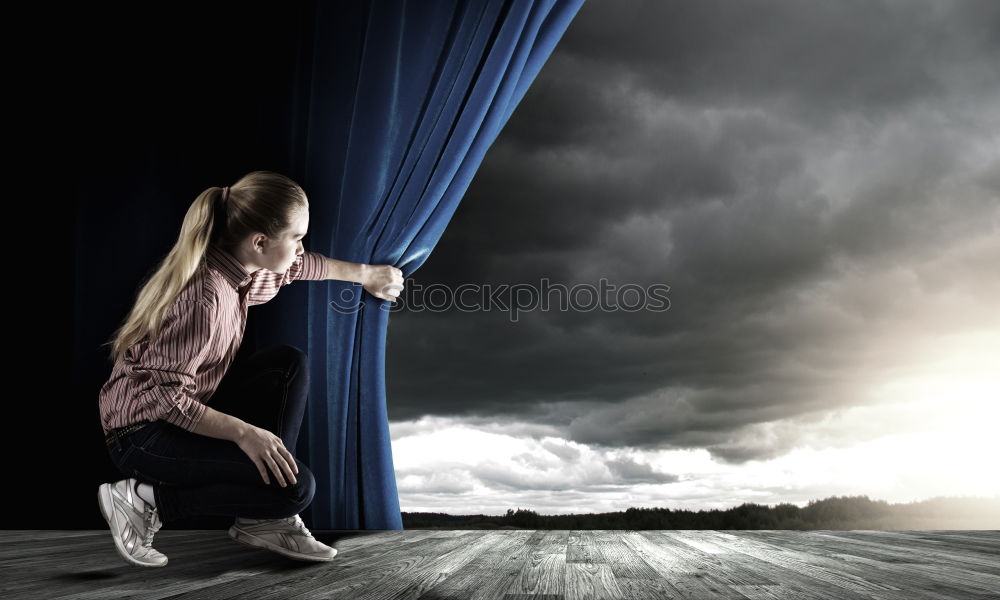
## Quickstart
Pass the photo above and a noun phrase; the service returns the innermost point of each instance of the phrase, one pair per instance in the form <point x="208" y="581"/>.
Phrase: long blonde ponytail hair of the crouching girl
<point x="261" y="201"/>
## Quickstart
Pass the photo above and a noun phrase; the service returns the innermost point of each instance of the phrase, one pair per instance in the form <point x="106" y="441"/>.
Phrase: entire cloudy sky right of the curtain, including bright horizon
<point x="817" y="183"/>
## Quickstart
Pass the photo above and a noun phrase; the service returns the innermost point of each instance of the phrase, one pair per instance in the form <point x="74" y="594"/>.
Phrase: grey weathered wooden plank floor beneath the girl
<point x="517" y="564"/>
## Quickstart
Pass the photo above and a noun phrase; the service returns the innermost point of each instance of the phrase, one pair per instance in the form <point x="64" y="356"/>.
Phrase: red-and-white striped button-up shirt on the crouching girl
<point x="173" y="376"/>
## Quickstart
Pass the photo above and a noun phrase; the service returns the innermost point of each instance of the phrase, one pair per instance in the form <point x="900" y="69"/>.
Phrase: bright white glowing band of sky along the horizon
<point x="937" y="417"/>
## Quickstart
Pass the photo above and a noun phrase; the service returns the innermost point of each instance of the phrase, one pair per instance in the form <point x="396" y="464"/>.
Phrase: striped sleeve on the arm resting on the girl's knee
<point x="166" y="373"/>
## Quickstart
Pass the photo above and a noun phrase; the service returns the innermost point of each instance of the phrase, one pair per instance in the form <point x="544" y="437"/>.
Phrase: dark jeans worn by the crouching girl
<point x="193" y="474"/>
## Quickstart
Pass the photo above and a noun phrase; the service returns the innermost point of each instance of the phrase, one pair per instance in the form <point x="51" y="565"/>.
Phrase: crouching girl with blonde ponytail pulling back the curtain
<point x="194" y="436"/>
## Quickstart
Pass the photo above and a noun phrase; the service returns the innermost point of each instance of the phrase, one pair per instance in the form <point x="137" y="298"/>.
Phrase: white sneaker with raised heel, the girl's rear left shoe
<point x="133" y="522"/>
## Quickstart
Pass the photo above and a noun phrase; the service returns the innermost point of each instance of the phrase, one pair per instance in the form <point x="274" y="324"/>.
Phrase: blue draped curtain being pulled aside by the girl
<point x="404" y="99"/>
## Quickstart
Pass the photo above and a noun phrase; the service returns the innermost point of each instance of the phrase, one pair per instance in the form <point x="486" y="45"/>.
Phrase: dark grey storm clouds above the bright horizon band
<point x="775" y="163"/>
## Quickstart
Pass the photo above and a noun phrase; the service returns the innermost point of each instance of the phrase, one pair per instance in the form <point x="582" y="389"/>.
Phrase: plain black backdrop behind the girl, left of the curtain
<point x="125" y="116"/>
